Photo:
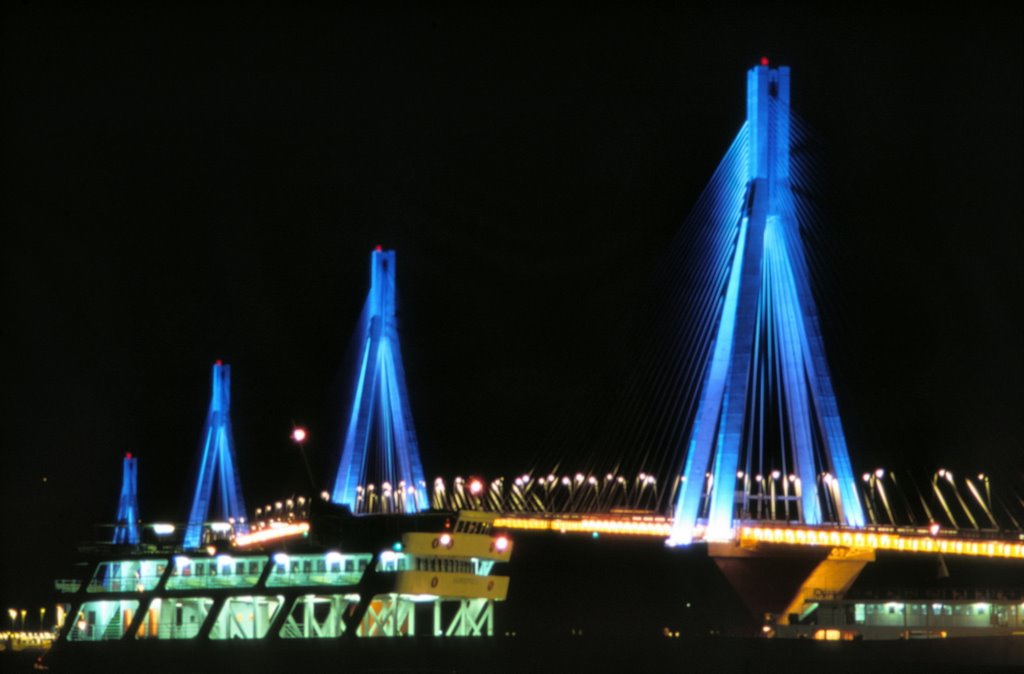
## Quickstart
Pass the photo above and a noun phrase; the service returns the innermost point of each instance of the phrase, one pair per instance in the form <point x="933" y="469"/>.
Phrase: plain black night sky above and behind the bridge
<point x="189" y="186"/>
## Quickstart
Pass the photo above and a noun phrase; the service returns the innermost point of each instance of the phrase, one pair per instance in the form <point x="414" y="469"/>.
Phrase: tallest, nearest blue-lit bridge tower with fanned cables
<point x="767" y="348"/>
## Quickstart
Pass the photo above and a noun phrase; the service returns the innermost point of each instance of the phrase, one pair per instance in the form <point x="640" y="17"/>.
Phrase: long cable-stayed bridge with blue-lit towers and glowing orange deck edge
<point x="762" y="464"/>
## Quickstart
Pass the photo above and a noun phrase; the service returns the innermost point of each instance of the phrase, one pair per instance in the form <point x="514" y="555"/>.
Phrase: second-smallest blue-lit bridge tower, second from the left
<point x="218" y="465"/>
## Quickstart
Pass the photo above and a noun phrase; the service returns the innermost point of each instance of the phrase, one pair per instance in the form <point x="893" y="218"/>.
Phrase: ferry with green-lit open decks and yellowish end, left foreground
<point x="335" y="578"/>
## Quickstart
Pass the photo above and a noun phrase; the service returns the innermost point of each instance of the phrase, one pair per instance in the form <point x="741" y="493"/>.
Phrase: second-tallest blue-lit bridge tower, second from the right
<point x="380" y="447"/>
